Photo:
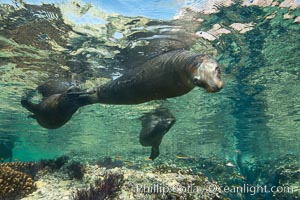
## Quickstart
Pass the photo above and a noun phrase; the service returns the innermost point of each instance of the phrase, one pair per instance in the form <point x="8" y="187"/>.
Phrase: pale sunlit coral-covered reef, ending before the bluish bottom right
<point x="65" y="179"/>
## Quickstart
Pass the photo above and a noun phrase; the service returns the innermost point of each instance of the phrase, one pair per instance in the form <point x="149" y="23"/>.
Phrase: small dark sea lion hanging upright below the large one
<point x="154" y="126"/>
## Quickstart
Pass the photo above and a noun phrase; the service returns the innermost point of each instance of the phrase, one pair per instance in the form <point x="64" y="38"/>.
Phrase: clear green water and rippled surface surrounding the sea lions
<point x="253" y="119"/>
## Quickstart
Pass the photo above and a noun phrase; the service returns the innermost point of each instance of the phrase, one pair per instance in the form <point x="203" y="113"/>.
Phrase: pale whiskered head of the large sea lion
<point x="206" y="73"/>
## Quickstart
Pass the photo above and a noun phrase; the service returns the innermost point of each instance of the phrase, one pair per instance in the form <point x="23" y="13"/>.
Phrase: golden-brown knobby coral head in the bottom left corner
<point x="14" y="184"/>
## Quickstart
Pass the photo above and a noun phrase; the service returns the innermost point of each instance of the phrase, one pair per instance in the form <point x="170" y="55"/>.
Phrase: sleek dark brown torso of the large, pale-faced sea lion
<point x="169" y="75"/>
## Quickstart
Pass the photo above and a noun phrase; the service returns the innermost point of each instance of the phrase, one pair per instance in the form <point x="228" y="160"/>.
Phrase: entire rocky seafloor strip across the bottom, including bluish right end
<point x="208" y="178"/>
